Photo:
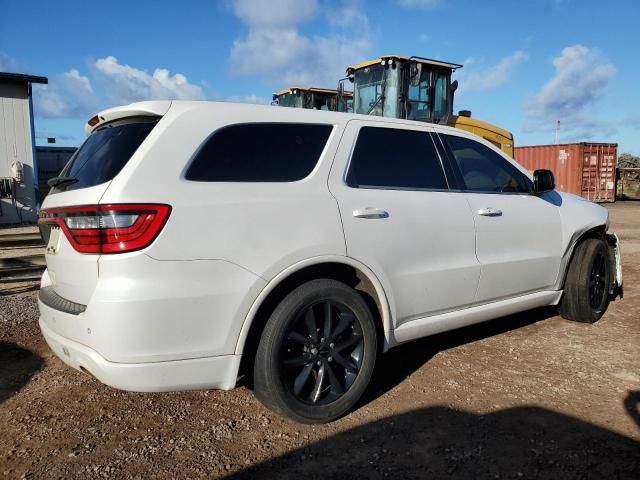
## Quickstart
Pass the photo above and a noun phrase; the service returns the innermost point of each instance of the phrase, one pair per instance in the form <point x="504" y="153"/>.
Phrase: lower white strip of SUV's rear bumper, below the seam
<point x="200" y="373"/>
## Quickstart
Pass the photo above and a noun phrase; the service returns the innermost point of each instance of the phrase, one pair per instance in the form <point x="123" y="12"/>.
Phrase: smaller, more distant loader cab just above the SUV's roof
<point x="314" y="98"/>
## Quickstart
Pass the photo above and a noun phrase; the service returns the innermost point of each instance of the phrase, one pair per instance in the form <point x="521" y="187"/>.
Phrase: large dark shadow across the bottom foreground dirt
<point x="439" y="442"/>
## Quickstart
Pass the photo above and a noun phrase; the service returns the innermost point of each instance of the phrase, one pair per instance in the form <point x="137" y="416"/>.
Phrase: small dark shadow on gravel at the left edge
<point x="17" y="366"/>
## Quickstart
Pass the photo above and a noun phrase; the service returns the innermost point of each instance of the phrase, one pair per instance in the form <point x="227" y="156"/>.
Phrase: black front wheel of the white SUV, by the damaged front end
<point x="586" y="289"/>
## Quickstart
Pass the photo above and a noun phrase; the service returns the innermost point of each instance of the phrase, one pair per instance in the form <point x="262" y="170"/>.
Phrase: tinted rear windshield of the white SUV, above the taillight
<point x="105" y="152"/>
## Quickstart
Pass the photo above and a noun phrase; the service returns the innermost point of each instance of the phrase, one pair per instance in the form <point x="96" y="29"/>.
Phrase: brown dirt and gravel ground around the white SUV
<point x="525" y="396"/>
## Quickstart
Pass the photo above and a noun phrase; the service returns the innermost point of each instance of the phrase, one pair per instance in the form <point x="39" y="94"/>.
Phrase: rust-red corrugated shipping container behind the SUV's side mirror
<point x="585" y="169"/>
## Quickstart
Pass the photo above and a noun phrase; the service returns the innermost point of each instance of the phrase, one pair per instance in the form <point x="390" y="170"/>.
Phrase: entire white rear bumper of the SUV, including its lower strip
<point x="153" y="325"/>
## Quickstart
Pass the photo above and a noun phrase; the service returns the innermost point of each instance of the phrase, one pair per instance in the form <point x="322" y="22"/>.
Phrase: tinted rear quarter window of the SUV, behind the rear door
<point x="260" y="152"/>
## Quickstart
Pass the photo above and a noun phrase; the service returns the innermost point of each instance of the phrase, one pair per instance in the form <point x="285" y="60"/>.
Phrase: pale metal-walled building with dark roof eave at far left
<point x="18" y="169"/>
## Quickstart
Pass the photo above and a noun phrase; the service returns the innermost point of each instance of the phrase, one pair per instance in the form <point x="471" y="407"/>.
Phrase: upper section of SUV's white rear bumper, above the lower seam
<point x="143" y="310"/>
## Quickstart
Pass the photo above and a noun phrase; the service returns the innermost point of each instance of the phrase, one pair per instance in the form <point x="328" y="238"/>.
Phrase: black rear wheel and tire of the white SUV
<point x="317" y="353"/>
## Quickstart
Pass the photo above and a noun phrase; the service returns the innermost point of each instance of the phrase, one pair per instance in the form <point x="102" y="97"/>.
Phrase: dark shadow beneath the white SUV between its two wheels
<point x="400" y="362"/>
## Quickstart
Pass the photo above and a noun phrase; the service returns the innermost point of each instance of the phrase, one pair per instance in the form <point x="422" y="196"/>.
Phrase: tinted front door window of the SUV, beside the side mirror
<point x="482" y="169"/>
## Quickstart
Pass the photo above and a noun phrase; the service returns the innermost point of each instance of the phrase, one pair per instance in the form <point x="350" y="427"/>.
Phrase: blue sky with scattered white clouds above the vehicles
<point x="527" y="63"/>
